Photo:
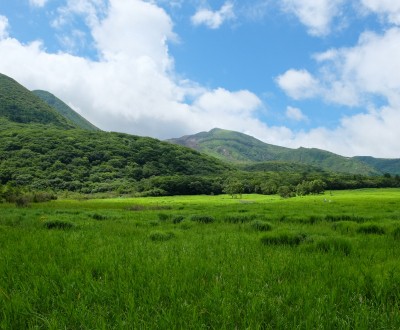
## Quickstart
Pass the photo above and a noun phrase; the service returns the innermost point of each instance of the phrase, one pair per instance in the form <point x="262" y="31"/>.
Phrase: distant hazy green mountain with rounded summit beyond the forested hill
<point x="239" y="148"/>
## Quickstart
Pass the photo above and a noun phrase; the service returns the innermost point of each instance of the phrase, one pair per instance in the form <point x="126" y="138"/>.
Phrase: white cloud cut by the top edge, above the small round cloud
<point x="316" y="15"/>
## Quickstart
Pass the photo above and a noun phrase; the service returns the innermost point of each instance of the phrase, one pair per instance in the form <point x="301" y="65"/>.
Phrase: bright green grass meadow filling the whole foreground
<point x="260" y="262"/>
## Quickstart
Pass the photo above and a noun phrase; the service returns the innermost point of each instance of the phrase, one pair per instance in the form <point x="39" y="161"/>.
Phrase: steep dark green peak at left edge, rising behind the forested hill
<point x="19" y="105"/>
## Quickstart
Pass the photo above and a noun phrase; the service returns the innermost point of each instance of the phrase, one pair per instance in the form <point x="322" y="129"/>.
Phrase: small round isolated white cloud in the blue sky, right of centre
<point x="298" y="84"/>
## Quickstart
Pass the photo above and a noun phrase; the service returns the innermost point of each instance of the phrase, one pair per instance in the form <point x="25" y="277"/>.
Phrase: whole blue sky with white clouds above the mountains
<point x="312" y="73"/>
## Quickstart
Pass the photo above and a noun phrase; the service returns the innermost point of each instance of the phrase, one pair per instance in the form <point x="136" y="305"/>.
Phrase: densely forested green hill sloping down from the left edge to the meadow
<point x="40" y="157"/>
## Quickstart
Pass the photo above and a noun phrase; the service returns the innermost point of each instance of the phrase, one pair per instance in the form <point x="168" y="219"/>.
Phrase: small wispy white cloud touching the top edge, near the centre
<point x="214" y="19"/>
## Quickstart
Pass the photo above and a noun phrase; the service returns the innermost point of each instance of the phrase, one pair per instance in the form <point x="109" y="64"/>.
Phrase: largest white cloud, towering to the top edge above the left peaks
<point x="133" y="86"/>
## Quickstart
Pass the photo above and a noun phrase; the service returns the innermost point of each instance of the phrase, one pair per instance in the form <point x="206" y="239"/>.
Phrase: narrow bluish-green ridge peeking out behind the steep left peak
<point x="65" y="110"/>
